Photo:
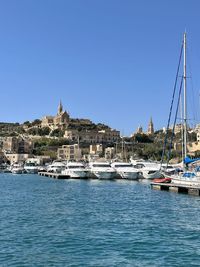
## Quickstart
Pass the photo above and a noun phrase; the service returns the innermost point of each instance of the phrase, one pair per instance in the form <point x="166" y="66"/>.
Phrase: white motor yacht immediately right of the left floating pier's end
<point x="75" y="170"/>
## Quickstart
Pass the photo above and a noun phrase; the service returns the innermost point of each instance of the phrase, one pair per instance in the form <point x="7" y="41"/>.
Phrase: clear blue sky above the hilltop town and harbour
<point x="113" y="61"/>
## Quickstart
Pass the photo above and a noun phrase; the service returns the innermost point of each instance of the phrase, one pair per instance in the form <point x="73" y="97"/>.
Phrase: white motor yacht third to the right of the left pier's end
<point x="126" y="170"/>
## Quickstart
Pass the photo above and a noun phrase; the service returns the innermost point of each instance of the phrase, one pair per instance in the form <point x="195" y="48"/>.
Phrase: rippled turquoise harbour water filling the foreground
<point x="47" y="222"/>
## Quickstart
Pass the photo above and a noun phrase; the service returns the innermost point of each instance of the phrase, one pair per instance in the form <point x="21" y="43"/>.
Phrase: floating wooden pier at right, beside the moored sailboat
<point x="177" y="188"/>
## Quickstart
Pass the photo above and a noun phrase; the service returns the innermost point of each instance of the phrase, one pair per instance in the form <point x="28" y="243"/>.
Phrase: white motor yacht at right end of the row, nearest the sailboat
<point x="148" y="169"/>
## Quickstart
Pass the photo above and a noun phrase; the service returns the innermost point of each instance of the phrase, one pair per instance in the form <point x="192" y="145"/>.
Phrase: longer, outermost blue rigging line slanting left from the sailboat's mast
<point x="170" y="112"/>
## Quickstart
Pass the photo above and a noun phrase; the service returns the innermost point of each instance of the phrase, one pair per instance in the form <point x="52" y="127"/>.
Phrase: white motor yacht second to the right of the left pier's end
<point x="102" y="170"/>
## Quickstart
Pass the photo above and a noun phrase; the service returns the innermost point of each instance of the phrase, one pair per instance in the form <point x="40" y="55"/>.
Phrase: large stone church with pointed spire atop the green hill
<point x="61" y="120"/>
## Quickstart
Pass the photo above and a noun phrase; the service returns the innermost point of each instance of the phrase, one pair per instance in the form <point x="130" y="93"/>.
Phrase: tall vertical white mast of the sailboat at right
<point x="184" y="99"/>
